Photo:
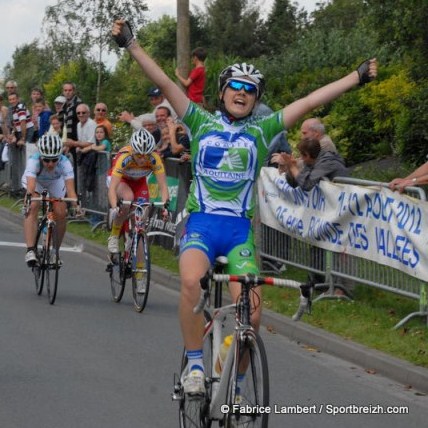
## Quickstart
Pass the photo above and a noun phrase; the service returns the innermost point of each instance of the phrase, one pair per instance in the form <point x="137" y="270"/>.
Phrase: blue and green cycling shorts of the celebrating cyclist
<point x="218" y="235"/>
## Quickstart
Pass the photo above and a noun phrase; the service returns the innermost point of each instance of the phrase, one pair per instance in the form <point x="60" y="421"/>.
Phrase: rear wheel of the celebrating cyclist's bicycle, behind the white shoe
<point x="194" y="410"/>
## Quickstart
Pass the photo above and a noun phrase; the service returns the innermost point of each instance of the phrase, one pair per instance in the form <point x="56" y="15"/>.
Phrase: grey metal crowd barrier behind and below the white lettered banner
<point x="338" y="268"/>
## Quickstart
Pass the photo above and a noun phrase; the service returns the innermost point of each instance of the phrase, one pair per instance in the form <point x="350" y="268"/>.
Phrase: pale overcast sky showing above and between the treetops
<point x="22" y="19"/>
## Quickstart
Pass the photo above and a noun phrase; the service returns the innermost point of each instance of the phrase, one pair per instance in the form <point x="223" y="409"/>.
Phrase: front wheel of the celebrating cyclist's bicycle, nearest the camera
<point x="248" y="383"/>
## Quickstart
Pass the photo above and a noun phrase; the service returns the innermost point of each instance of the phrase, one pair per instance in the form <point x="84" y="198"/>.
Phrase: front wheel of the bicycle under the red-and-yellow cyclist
<point x="140" y="262"/>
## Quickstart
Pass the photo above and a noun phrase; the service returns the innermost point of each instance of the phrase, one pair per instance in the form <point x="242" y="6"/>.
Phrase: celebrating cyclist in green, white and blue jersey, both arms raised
<point x="228" y="149"/>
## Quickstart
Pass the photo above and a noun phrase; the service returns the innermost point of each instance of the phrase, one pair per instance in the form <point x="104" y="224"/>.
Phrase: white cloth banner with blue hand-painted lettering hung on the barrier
<point x="369" y="222"/>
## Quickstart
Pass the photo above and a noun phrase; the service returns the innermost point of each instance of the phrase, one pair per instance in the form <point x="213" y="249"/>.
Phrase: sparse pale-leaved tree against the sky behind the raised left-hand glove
<point x="81" y="28"/>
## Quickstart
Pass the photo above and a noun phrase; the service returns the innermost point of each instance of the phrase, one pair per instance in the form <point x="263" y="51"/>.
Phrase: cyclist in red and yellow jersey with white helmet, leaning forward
<point x="127" y="179"/>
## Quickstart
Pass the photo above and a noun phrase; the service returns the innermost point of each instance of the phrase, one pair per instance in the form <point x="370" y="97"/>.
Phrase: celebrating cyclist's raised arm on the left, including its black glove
<point x="122" y="33"/>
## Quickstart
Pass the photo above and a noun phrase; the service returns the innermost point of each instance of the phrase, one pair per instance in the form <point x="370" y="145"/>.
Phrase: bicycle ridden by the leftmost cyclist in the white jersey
<point x="46" y="268"/>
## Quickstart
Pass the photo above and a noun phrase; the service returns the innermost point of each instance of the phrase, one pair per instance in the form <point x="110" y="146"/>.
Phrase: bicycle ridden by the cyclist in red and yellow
<point x="124" y="264"/>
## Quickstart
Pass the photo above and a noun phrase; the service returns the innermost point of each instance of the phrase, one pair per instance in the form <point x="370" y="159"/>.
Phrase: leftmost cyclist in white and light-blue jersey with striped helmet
<point x="51" y="170"/>
